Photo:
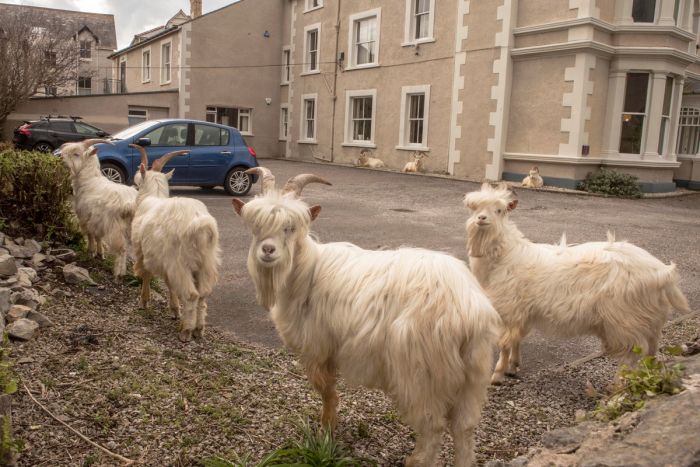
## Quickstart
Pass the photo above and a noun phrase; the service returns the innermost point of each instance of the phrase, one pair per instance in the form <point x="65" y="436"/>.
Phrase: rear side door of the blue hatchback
<point x="210" y="154"/>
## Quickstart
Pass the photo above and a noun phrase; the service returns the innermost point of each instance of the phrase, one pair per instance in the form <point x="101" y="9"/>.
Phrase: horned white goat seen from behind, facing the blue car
<point x="177" y="239"/>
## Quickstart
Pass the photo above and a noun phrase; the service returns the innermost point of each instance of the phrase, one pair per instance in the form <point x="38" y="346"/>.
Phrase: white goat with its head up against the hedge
<point x="104" y="209"/>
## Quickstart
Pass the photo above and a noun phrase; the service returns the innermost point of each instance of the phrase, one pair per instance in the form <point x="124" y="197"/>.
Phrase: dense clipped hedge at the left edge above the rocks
<point x="35" y="193"/>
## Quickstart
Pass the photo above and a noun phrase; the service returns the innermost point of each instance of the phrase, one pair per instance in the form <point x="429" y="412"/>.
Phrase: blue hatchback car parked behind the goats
<point x="218" y="154"/>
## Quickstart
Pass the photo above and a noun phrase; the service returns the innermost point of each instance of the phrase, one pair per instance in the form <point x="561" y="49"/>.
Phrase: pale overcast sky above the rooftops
<point x="130" y="16"/>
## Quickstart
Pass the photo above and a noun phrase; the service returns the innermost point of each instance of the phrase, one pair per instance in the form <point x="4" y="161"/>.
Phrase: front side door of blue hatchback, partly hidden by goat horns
<point x="166" y="138"/>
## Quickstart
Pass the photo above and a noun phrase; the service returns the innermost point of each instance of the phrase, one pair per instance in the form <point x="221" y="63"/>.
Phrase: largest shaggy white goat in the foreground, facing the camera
<point x="413" y="323"/>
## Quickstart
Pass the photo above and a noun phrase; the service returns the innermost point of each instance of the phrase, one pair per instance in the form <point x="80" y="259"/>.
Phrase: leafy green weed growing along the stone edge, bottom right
<point x="636" y="386"/>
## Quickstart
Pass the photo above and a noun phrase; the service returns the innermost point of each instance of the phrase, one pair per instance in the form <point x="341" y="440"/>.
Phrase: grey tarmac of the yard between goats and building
<point x="376" y="209"/>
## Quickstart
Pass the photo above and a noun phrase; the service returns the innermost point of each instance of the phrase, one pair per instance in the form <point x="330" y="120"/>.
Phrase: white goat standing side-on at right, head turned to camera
<point x="613" y="290"/>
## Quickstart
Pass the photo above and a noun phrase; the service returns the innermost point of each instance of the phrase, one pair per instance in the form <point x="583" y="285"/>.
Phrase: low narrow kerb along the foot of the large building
<point x="566" y="191"/>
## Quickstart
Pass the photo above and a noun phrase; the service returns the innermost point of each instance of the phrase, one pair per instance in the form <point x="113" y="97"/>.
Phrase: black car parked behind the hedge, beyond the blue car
<point x="49" y="133"/>
